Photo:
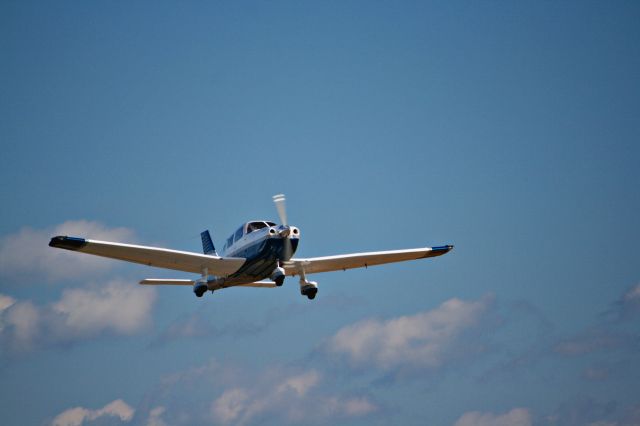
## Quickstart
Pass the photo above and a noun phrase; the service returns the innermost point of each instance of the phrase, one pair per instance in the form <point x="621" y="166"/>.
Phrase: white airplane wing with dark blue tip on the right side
<point x="359" y="260"/>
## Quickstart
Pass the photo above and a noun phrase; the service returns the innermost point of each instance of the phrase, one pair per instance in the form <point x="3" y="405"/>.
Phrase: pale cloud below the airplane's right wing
<point x="426" y="339"/>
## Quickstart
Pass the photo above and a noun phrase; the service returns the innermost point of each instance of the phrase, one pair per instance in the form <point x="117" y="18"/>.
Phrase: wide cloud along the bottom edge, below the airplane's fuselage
<point x="232" y="394"/>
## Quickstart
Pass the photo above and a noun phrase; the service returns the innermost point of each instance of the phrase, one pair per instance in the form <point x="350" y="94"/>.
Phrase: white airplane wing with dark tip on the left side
<point x="152" y="256"/>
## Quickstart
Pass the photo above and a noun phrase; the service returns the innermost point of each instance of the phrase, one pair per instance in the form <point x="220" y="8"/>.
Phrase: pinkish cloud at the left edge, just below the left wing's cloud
<point x="116" y="307"/>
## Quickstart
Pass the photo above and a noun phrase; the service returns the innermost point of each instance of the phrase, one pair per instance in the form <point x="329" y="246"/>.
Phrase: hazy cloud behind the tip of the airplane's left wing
<point x="26" y="255"/>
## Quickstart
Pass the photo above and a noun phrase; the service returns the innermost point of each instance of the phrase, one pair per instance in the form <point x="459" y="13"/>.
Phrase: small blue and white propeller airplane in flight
<point x="257" y="251"/>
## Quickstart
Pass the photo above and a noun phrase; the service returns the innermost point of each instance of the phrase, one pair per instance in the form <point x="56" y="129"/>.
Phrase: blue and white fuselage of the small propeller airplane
<point x="264" y="245"/>
